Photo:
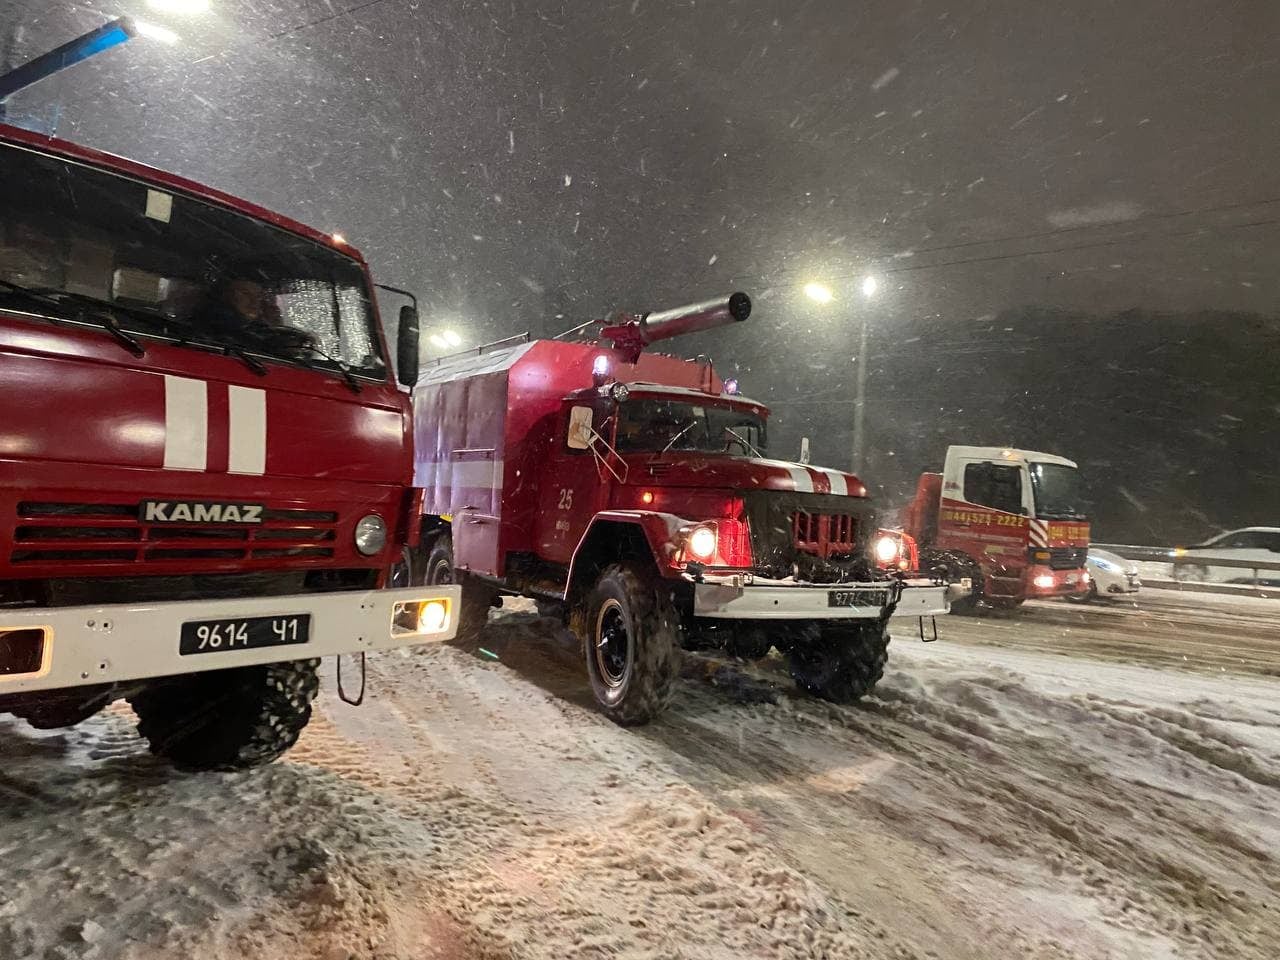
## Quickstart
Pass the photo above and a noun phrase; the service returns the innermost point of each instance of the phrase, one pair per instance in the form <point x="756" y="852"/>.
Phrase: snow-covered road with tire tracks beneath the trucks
<point x="1003" y="797"/>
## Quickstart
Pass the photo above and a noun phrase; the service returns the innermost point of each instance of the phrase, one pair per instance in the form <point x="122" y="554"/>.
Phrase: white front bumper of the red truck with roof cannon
<point x="742" y="598"/>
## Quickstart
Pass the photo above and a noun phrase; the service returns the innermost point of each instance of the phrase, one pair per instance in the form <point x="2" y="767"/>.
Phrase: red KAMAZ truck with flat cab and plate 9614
<point x="205" y="461"/>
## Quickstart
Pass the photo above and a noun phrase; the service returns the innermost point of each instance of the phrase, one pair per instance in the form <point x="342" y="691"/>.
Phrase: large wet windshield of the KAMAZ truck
<point x="77" y="241"/>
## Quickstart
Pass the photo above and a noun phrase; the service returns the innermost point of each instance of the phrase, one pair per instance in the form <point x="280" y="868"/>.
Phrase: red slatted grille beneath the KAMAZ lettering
<point x="113" y="533"/>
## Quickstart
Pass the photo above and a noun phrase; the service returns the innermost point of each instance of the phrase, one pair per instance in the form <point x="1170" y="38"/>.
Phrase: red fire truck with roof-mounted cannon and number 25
<point x="634" y="491"/>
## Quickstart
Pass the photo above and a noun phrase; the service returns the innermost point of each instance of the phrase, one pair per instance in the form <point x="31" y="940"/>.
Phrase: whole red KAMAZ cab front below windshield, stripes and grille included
<point x="185" y="463"/>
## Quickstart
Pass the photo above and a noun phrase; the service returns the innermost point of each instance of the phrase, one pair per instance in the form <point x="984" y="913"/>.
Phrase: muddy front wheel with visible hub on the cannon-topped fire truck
<point x="633" y="673"/>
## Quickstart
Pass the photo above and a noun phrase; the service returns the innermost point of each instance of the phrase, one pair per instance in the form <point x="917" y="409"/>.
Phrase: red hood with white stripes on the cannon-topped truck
<point x="693" y="470"/>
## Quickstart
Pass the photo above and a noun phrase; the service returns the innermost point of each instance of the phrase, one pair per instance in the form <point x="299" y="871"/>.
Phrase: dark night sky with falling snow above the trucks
<point x="518" y="161"/>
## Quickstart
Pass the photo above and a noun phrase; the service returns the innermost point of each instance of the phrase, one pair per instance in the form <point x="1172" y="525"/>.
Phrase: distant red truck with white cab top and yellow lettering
<point x="1009" y="522"/>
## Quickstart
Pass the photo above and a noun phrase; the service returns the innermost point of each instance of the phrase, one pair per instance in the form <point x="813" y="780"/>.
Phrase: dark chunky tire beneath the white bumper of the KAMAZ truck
<point x="228" y="720"/>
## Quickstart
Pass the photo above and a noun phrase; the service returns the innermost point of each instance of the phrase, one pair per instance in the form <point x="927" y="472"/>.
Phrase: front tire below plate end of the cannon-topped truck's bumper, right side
<point x="840" y="661"/>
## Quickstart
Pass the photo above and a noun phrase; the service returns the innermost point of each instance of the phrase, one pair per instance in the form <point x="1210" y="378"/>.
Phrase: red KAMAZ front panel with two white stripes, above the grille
<point x="74" y="396"/>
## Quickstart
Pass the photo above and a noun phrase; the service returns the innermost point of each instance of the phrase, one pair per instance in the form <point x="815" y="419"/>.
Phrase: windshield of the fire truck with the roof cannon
<point x="656" y="426"/>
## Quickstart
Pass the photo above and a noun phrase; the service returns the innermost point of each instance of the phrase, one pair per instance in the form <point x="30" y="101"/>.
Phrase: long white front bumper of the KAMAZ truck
<point x="132" y="642"/>
